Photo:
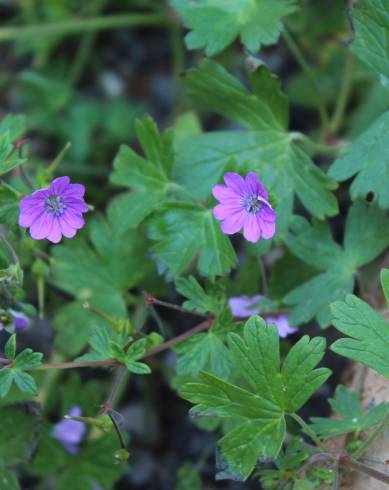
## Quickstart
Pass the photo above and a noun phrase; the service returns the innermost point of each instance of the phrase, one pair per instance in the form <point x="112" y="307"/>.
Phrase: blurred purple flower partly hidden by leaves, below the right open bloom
<point x="245" y="306"/>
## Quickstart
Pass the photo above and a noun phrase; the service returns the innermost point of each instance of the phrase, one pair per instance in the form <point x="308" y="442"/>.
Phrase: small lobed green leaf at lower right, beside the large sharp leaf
<point x="351" y="418"/>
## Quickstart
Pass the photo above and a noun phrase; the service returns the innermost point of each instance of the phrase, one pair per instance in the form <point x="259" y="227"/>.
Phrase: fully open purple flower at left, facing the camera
<point x="53" y="212"/>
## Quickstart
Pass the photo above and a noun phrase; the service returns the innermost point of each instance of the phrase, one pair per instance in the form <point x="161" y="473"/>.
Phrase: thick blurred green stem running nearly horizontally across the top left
<point x="77" y="26"/>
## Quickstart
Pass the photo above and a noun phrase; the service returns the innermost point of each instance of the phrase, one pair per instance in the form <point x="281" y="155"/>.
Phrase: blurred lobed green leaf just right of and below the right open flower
<point x="366" y="236"/>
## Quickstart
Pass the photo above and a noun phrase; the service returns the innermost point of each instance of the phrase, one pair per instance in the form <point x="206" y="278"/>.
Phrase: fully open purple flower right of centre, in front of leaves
<point x="244" y="203"/>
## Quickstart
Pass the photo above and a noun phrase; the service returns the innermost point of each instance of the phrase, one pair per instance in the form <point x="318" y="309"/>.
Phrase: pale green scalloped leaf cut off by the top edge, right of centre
<point x="217" y="23"/>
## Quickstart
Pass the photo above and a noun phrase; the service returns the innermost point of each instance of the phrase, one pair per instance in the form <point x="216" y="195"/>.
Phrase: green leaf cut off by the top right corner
<point x="371" y="25"/>
